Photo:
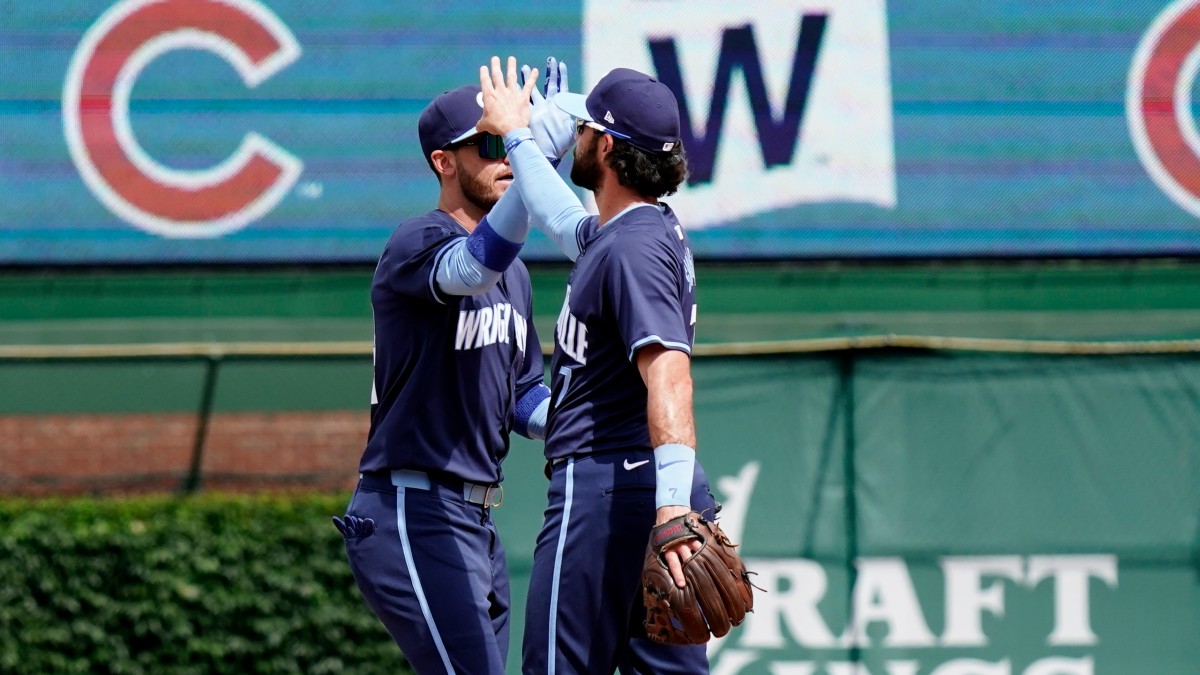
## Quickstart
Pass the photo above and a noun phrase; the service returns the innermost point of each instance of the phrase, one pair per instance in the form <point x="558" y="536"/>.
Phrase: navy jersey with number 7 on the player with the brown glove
<point x="634" y="284"/>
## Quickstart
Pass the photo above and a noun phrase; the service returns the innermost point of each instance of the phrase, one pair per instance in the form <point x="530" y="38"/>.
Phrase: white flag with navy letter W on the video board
<point x="785" y="103"/>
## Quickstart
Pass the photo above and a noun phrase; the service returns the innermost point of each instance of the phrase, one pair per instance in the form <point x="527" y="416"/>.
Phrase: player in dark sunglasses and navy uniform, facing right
<point x="458" y="366"/>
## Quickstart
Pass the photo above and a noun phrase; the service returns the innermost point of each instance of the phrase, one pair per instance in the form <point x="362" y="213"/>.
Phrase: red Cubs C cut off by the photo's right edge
<point x="1159" y="103"/>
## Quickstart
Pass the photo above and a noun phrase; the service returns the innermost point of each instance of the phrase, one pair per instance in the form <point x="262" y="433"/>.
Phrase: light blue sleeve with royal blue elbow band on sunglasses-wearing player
<point x="469" y="266"/>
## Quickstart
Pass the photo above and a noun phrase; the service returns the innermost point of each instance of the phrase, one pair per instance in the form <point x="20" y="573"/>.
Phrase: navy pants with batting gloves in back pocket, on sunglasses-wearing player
<point x="435" y="574"/>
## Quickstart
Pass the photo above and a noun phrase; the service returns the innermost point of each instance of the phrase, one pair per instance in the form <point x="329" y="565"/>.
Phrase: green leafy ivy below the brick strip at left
<point x="209" y="584"/>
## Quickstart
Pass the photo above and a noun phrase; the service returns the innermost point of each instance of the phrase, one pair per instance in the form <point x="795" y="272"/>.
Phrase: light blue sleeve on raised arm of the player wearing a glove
<point x="553" y="206"/>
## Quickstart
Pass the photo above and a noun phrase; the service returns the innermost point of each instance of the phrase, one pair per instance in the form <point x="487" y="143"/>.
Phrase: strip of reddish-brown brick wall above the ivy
<point x="107" y="455"/>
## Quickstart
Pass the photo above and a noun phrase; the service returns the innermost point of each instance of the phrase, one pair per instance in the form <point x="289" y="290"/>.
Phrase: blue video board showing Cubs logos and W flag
<point x="259" y="132"/>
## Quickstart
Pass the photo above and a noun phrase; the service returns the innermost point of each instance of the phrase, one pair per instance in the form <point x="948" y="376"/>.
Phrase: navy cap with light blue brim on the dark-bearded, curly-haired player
<point x="631" y="105"/>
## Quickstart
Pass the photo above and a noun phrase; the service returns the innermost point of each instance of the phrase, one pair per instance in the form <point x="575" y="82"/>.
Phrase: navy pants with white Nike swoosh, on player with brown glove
<point x="585" y="611"/>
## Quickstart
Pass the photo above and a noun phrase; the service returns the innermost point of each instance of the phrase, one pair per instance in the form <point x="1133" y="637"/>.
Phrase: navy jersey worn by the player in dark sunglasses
<point x="448" y="369"/>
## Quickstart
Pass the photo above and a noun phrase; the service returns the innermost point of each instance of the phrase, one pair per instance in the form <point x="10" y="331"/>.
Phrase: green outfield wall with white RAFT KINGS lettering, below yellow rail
<point x="947" y="515"/>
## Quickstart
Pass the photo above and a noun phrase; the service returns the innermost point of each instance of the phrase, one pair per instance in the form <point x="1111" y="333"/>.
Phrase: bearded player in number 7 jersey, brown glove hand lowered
<point x="621" y="438"/>
